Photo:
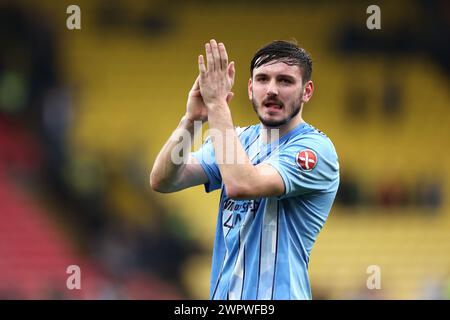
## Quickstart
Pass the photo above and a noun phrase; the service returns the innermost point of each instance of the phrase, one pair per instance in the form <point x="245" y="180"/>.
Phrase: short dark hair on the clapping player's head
<point x="284" y="51"/>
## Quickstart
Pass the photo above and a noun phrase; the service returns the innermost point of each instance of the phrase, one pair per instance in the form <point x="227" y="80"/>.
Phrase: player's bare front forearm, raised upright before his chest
<point x="235" y="167"/>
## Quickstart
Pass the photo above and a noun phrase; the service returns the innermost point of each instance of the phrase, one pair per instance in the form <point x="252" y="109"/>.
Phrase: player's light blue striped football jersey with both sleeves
<point x="262" y="246"/>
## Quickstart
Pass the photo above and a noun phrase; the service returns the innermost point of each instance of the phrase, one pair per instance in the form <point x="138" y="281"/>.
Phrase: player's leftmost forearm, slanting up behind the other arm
<point x="173" y="157"/>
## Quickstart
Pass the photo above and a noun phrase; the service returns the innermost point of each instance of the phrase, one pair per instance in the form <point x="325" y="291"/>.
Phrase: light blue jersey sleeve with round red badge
<point x="308" y="164"/>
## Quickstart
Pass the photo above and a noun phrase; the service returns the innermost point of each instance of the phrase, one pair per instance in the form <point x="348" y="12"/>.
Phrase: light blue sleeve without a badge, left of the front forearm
<point x="205" y="155"/>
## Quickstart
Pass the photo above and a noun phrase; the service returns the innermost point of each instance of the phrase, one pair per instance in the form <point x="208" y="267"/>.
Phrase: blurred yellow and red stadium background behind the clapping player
<point x="83" y="114"/>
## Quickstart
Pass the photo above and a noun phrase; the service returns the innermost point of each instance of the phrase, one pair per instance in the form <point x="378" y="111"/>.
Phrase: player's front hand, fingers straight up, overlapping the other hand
<point x="217" y="77"/>
